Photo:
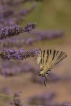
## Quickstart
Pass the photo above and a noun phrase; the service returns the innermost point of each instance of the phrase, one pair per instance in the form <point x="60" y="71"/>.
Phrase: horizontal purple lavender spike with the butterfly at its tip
<point x="17" y="55"/>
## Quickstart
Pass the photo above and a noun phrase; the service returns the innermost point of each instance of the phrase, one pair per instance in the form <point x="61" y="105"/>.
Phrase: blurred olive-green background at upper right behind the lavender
<point x="51" y="15"/>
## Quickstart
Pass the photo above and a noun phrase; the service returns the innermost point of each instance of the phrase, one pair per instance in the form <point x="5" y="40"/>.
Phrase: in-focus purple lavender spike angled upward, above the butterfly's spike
<point x="15" y="30"/>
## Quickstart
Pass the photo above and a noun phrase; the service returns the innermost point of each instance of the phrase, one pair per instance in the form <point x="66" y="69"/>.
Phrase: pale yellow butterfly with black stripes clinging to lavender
<point x="47" y="59"/>
